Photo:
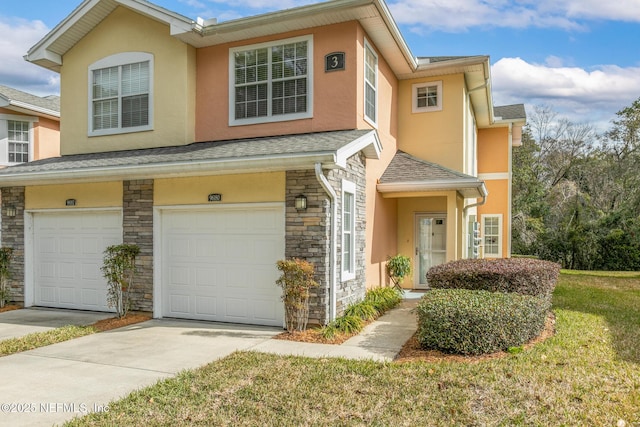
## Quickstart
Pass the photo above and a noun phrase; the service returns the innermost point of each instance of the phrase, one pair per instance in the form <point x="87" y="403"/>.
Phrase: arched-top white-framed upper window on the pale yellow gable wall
<point x="120" y="94"/>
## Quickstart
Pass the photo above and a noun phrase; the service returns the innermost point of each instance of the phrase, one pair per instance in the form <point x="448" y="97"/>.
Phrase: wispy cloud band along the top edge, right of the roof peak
<point x="461" y="15"/>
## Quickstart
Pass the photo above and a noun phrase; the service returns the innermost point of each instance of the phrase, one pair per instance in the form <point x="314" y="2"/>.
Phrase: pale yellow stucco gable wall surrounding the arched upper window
<point x="173" y="84"/>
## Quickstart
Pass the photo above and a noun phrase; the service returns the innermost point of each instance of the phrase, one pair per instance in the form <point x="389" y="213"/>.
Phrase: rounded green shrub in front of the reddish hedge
<point x="469" y="322"/>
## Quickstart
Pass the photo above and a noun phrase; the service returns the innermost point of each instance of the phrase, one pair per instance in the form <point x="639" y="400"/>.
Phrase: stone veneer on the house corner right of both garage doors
<point x="308" y="234"/>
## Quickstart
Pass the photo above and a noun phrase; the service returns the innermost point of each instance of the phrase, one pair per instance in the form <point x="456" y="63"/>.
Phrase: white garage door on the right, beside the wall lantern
<point x="219" y="264"/>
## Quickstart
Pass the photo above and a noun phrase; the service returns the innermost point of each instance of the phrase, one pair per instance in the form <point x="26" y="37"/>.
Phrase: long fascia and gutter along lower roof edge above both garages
<point x="173" y="169"/>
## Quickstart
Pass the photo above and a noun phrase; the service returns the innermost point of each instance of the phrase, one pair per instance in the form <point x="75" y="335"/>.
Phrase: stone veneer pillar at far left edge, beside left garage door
<point x="13" y="237"/>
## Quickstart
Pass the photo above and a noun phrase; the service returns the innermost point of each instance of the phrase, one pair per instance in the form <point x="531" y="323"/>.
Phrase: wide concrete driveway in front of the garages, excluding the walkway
<point x="55" y="383"/>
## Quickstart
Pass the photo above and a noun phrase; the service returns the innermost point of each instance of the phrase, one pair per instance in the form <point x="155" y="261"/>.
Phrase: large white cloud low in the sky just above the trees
<point x="581" y="95"/>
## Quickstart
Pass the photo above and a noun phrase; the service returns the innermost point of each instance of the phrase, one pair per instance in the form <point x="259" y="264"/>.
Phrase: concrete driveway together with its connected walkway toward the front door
<point x="53" y="384"/>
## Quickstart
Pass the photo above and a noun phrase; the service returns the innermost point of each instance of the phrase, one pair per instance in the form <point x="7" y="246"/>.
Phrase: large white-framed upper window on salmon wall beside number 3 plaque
<point x="271" y="82"/>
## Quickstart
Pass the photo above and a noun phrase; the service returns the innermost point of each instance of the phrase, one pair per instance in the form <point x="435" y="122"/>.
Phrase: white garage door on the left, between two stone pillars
<point x="68" y="254"/>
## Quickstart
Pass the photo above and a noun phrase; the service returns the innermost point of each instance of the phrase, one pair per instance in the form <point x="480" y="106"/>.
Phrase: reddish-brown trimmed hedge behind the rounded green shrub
<point x="520" y="275"/>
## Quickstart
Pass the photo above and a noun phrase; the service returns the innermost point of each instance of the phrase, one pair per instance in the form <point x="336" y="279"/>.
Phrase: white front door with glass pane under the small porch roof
<point x="431" y="246"/>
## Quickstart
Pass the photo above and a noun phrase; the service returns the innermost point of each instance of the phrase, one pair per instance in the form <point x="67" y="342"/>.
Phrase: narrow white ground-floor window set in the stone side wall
<point x="348" y="230"/>
